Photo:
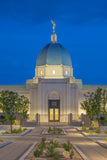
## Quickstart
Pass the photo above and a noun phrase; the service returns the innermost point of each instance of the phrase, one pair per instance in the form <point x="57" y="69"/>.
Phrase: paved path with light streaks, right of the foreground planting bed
<point x="92" y="150"/>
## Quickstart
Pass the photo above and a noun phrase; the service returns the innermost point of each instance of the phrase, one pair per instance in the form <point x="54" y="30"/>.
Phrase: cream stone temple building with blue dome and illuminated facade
<point x="54" y="92"/>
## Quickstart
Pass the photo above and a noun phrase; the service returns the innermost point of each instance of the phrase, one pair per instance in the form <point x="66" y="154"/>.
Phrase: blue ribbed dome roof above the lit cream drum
<point x="54" y="54"/>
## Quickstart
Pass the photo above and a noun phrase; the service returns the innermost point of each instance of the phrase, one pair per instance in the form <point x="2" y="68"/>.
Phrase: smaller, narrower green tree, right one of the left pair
<point x="22" y="107"/>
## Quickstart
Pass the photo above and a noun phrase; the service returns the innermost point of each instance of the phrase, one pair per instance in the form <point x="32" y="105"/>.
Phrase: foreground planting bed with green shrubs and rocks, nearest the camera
<point x="53" y="150"/>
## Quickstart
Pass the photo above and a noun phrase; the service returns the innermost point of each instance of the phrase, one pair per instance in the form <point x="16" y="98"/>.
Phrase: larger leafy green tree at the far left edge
<point x="8" y="102"/>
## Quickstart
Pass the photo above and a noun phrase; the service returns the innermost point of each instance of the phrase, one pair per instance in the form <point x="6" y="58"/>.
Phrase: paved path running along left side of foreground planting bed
<point x="14" y="150"/>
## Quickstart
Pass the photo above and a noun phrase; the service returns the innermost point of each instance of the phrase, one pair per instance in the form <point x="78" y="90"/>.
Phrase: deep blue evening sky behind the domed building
<point x="25" y="28"/>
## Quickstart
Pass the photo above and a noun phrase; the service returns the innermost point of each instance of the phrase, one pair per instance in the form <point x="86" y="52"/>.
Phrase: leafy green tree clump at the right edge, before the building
<point x="94" y="104"/>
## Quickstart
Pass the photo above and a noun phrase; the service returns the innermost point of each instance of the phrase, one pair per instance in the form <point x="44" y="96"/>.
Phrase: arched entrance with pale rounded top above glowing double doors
<point x="54" y="107"/>
